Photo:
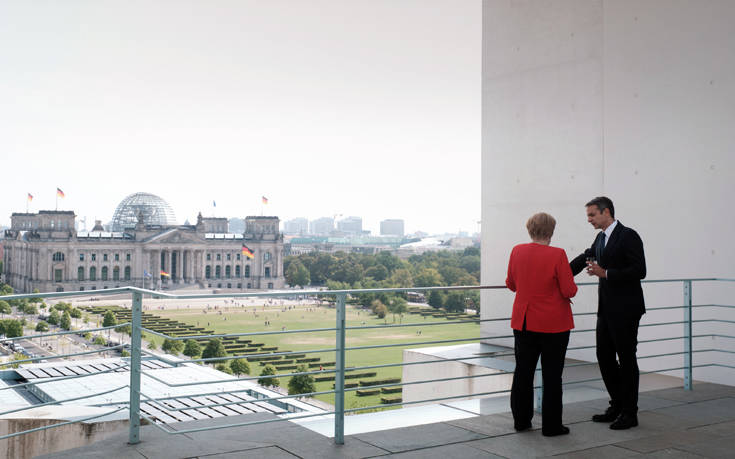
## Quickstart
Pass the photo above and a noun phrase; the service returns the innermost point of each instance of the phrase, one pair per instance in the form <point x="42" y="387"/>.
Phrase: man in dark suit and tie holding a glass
<point x="616" y="258"/>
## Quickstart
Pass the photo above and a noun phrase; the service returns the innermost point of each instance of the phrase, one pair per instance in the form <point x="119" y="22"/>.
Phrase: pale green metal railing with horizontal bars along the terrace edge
<point x="340" y="348"/>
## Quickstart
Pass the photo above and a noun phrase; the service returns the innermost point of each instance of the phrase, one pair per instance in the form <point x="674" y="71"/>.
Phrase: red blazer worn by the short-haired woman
<point x="543" y="281"/>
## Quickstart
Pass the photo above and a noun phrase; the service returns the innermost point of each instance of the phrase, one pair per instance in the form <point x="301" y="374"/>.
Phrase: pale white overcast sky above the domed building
<point x="366" y="108"/>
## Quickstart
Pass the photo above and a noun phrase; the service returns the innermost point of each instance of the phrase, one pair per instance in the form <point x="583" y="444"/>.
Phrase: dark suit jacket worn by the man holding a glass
<point x="620" y="294"/>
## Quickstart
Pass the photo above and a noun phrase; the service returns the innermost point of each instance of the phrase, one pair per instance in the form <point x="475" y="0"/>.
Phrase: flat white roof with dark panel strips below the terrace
<point x="159" y="380"/>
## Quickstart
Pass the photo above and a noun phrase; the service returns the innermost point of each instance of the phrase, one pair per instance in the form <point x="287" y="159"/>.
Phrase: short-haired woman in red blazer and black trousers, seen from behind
<point x="542" y="317"/>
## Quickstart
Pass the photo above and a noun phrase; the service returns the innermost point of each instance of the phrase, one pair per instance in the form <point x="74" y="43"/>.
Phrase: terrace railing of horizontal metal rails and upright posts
<point x="340" y="350"/>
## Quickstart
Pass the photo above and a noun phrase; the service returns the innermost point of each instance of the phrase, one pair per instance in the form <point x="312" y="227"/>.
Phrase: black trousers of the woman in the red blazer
<point x="552" y="348"/>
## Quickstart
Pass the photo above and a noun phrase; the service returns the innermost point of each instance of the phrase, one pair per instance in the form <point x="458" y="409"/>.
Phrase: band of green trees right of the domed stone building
<point x="383" y="270"/>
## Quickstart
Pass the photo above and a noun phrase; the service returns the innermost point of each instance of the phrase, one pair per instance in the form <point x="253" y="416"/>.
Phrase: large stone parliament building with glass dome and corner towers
<point x="145" y="248"/>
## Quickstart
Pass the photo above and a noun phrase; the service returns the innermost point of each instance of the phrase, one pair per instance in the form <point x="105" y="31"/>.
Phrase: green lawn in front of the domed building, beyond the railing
<point x="253" y="319"/>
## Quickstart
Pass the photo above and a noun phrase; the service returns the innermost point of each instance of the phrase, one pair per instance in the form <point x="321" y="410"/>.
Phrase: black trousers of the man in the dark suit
<point x="617" y="342"/>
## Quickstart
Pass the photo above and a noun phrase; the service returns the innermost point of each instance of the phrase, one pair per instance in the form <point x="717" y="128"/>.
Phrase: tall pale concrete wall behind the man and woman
<point x="633" y="100"/>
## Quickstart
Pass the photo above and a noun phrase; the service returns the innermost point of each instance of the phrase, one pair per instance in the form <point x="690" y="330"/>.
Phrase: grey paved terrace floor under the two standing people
<point x="674" y="423"/>
